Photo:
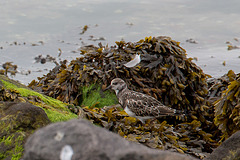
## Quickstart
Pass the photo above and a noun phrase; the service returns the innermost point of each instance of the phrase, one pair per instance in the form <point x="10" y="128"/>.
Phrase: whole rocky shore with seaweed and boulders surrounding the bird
<point x="36" y="120"/>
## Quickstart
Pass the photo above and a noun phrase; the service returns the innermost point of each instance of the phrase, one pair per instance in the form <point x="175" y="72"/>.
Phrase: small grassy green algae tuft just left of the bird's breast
<point x="93" y="96"/>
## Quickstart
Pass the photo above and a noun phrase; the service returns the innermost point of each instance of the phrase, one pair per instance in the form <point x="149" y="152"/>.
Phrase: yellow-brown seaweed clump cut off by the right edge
<point x="227" y="104"/>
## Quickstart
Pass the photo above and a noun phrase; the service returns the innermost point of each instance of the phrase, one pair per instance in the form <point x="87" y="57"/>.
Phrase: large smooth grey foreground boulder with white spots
<point x="80" y="140"/>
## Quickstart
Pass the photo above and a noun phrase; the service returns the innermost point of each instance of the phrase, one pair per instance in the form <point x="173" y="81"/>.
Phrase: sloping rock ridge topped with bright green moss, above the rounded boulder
<point x="13" y="91"/>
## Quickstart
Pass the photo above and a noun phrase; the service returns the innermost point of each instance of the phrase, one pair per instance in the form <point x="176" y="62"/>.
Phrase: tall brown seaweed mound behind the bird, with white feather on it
<point x="164" y="72"/>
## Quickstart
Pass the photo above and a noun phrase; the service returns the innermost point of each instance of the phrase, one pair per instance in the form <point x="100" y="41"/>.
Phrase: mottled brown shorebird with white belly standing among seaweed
<point x="139" y="105"/>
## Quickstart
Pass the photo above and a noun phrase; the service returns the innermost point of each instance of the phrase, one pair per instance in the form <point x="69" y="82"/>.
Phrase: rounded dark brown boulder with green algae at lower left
<point x="17" y="122"/>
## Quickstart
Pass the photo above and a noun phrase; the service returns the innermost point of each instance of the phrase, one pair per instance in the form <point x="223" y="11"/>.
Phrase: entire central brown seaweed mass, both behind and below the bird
<point x="164" y="72"/>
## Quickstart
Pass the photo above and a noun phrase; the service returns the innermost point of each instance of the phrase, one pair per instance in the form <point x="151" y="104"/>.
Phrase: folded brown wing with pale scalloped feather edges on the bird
<point x="145" y="105"/>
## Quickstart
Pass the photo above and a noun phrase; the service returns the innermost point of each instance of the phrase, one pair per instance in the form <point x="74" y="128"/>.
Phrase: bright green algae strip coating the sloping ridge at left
<point x="55" y="109"/>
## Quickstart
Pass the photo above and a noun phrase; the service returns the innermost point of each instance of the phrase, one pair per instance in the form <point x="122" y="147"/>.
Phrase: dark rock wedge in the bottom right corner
<point x="228" y="150"/>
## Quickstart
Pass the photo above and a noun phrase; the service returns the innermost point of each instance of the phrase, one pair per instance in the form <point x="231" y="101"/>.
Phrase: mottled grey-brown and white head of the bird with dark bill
<point x="117" y="85"/>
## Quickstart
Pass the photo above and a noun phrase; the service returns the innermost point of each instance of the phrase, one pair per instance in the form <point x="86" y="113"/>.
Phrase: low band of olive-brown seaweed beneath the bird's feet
<point x="187" y="137"/>
